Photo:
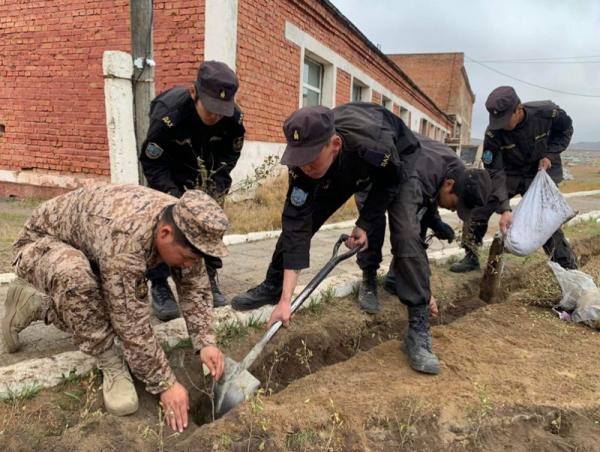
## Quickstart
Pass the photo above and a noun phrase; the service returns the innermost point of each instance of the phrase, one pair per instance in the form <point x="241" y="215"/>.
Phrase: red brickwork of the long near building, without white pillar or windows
<point x="51" y="86"/>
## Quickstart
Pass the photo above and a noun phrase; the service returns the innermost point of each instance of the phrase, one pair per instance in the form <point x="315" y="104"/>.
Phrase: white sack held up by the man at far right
<point x="540" y="213"/>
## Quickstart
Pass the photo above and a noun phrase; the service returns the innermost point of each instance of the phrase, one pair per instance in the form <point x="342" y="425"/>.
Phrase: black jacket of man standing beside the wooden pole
<point x="181" y="152"/>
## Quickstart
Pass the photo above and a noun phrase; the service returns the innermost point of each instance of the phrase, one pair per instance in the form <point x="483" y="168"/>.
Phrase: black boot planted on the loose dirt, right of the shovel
<point x="417" y="343"/>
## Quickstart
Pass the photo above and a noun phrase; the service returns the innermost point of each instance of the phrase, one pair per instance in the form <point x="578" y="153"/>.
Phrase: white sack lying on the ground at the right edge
<point x="580" y="295"/>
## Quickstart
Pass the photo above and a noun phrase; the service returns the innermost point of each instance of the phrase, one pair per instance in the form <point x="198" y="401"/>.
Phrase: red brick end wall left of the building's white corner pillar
<point x="51" y="85"/>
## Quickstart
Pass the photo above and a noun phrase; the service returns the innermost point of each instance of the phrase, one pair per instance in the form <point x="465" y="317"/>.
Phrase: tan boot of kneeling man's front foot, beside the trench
<point x="120" y="397"/>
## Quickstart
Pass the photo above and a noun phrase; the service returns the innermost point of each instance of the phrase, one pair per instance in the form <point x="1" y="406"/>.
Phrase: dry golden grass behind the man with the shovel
<point x="263" y="212"/>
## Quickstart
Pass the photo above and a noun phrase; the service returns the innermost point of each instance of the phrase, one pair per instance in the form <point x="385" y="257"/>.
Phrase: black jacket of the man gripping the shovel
<point x="375" y="146"/>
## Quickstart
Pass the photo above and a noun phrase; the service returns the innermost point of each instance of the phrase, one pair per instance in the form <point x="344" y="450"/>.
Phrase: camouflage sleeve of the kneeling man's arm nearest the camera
<point x="126" y="293"/>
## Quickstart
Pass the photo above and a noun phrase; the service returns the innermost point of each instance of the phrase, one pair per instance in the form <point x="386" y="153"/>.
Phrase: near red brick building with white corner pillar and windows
<point x="287" y="53"/>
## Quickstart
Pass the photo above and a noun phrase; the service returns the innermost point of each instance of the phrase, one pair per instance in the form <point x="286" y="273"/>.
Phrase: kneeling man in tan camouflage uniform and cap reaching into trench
<point x="88" y="251"/>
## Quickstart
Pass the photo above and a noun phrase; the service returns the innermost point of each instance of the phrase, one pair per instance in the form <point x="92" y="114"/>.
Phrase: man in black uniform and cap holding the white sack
<point x="521" y="138"/>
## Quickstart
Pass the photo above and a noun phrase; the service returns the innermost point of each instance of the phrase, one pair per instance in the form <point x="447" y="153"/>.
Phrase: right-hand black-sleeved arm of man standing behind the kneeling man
<point x="228" y="157"/>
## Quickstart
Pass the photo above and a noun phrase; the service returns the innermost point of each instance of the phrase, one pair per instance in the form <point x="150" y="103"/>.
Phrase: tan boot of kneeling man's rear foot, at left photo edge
<point x="23" y="305"/>
